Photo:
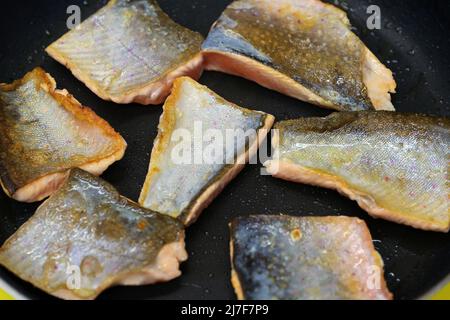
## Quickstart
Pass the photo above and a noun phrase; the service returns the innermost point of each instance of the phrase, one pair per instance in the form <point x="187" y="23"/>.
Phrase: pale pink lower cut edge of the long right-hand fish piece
<point x="296" y="173"/>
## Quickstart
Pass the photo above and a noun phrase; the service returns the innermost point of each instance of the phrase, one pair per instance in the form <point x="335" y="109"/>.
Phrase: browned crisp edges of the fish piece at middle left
<point x="52" y="181"/>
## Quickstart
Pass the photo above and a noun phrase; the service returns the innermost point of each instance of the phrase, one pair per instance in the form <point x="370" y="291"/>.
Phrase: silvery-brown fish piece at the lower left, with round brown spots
<point x="87" y="229"/>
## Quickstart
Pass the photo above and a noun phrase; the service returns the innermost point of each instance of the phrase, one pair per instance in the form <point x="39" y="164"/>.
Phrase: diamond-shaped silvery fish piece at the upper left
<point x="130" y="51"/>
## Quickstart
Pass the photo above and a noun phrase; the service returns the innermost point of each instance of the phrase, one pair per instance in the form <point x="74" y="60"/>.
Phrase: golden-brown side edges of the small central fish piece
<point x="229" y="172"/>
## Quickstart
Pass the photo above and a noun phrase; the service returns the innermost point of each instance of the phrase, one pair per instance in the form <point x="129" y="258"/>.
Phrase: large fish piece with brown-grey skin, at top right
<point x="302" y="48"/>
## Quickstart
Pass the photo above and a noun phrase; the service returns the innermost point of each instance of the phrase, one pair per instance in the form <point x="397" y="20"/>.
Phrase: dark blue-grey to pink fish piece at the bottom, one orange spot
<point x="305" y="258"/>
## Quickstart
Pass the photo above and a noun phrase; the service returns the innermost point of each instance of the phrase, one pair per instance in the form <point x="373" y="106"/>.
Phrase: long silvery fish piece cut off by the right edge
<point x="394" y="165"/>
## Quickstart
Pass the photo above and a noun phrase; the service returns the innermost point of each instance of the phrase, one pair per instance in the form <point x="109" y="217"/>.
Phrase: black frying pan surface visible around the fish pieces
<point x="414" y="42"/>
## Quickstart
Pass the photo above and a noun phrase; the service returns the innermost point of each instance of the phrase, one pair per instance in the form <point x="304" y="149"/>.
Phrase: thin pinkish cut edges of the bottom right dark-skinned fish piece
<point x="367" y="238"/>
